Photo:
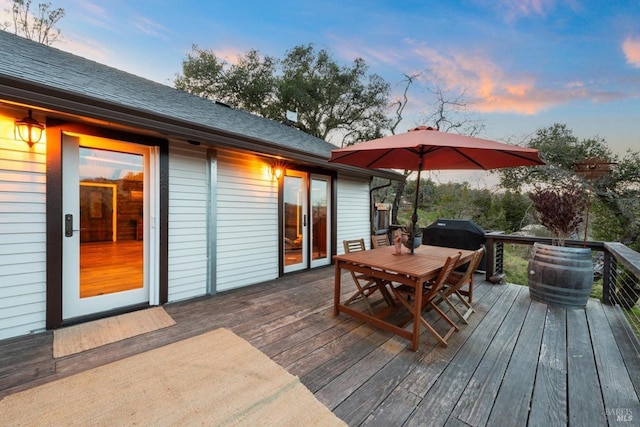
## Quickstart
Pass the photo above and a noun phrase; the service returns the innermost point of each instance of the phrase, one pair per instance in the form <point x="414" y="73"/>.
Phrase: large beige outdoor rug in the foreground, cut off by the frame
<point x="214" y="379"/>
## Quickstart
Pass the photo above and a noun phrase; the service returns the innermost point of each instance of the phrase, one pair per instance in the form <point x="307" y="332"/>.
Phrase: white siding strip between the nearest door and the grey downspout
<point x="188" y="211"/>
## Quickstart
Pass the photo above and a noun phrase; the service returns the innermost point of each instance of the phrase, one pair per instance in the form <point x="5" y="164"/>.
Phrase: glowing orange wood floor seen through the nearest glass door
<point x="108" y="267"/>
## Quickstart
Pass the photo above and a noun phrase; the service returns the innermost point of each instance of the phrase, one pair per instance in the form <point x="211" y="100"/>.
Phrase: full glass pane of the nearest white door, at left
<point x="111" y="221"/>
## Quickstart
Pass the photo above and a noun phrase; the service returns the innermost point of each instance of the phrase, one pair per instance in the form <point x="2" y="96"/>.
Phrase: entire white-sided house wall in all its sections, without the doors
<point x="223" y="228"/>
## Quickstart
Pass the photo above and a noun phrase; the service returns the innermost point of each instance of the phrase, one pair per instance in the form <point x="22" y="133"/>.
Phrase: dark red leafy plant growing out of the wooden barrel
<point x="559" y="208"/>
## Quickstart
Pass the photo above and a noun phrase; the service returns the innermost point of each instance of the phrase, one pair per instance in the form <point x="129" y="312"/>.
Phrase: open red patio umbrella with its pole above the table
<point x="425" y="148"/>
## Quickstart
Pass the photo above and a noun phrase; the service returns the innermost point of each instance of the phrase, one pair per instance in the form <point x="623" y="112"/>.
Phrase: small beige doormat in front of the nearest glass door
<point x="86" y="336"/>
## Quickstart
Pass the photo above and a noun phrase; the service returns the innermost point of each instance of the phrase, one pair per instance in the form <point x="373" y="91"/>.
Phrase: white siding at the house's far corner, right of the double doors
<point x="353" y="211"/>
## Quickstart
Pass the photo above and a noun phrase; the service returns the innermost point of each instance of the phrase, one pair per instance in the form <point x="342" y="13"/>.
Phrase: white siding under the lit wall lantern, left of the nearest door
<point x="22" y="234"/>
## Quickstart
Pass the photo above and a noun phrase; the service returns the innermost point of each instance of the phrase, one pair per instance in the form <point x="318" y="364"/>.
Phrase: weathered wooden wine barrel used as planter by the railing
<point x="560" y="276"/>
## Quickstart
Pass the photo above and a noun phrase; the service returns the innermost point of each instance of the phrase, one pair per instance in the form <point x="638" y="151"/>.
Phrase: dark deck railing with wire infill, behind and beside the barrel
<point x="620" y="269"/>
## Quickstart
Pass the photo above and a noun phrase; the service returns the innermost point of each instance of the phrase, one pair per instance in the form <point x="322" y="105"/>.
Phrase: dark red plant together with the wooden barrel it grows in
<point x="559" y="275"/>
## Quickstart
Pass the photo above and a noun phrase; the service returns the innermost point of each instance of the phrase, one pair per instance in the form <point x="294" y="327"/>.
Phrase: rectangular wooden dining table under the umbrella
<point x="406" y="268"/>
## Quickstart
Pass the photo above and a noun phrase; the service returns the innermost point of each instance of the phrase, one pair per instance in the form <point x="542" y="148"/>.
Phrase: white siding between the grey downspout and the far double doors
<point x="246" y="222"/>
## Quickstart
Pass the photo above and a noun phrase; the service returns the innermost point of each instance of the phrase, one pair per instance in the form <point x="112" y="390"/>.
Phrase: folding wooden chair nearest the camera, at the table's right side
<point x="431" y="291"/>
